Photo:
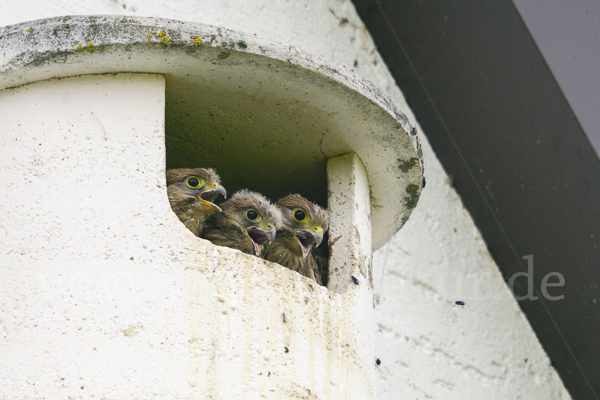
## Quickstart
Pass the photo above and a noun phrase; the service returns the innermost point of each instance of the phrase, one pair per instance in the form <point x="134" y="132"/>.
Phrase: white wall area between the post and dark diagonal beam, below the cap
<point x="440" y="350"/>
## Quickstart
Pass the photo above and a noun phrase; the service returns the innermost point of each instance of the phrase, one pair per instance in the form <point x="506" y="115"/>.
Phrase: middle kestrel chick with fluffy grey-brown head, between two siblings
<point x="232" y="228"/>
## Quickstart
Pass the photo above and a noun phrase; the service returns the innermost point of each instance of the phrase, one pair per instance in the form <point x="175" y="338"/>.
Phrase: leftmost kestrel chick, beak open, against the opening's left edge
<point x="191" y="193"/>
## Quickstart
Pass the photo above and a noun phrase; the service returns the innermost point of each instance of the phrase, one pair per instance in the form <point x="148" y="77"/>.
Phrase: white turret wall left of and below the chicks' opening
<point x="104" y="292"/>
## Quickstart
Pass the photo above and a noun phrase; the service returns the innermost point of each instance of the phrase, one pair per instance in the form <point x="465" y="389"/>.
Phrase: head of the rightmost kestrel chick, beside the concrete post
<point x="307" y="221"/>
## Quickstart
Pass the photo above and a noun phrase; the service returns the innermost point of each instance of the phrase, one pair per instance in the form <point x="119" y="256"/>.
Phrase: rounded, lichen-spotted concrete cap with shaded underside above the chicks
<point x="265" y="115"/>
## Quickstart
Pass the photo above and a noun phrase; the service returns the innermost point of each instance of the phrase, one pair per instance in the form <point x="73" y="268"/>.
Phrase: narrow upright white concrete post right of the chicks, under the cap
<point x="350" y="268"/>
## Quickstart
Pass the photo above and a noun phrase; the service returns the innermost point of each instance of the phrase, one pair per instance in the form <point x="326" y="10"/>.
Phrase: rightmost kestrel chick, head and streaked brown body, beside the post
<point x="292" y="247"/>
